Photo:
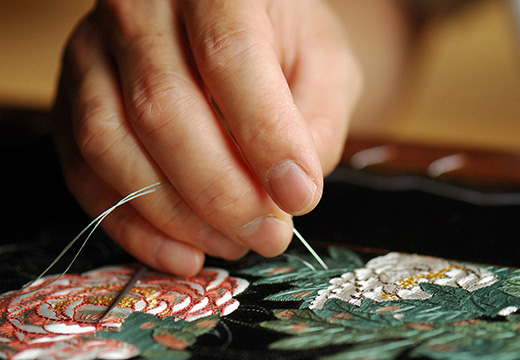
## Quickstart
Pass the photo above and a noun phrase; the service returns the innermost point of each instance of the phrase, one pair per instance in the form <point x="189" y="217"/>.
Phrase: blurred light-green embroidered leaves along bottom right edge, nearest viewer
<point x="474" y="339"/>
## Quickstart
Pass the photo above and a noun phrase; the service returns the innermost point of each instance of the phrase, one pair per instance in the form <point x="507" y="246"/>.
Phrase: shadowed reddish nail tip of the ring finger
<point x="214" y="243"/>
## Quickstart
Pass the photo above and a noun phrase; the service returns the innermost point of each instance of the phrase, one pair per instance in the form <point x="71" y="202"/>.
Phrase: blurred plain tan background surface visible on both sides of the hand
<point x="463" y="90"/>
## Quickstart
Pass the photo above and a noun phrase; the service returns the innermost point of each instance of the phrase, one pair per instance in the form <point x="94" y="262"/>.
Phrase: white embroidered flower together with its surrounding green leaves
<point x="440" y="310"/>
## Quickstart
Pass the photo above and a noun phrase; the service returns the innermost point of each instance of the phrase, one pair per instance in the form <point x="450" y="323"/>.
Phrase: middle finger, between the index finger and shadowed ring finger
<point x="174" y="125"/>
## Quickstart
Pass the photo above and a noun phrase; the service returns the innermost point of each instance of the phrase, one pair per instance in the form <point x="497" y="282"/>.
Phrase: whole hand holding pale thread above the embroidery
<point x="137" y="104"/>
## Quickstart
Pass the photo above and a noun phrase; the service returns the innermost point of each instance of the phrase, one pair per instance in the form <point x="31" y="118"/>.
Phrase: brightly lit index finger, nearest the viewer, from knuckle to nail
<point x="233" y="49"/>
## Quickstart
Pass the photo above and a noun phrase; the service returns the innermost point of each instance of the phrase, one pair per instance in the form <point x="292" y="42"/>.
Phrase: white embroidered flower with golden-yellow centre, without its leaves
<point x="398" y="276"/>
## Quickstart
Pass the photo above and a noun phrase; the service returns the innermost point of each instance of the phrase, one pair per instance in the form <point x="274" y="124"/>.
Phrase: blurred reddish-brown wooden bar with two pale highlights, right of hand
<point x="486" y="170"/>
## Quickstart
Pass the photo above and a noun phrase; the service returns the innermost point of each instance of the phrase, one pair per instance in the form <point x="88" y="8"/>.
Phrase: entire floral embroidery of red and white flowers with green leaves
<point x="464" y="311"/>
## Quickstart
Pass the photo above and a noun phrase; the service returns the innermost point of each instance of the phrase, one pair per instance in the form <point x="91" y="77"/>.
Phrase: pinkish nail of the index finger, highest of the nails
<point x="293" y="188"/>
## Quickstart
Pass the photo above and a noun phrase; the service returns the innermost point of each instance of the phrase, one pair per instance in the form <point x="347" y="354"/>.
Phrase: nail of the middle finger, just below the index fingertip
<point x="267" y="236"/>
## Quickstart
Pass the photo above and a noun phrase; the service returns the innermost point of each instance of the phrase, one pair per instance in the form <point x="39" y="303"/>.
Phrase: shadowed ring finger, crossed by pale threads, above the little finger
<point x="100" y="138"/>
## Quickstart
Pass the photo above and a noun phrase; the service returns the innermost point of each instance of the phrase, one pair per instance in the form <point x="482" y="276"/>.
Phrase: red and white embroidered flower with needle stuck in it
<point x="67" y="311"/>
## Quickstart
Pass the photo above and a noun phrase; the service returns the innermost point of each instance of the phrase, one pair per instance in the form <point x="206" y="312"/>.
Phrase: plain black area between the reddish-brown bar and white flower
<point x="419" y="216"/>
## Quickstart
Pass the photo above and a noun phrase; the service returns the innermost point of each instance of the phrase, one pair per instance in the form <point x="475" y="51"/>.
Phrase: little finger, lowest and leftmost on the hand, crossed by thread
<point x="138" y="236"/>
